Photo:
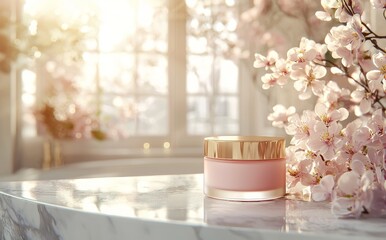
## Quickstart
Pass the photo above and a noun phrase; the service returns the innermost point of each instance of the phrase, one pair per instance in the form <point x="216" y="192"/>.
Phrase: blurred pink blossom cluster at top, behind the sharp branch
<point x="261" y="26"/>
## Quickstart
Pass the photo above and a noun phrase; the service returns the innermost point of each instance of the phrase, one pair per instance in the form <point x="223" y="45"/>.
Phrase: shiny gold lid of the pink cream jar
<point x="244" y="147"/>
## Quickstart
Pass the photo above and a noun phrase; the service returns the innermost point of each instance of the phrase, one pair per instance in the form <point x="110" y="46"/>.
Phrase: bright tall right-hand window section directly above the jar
<point x="213" y="74"/>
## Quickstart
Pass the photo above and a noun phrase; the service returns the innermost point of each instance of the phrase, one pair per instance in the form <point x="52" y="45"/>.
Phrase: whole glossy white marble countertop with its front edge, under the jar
<point x="162" y="207"/>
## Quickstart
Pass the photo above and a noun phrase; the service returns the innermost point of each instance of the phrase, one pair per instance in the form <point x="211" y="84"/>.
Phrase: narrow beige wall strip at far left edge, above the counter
<point x="6" y="125"/>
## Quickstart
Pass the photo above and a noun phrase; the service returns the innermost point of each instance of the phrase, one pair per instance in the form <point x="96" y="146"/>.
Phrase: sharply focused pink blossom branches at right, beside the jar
<point x="337" y="151"/>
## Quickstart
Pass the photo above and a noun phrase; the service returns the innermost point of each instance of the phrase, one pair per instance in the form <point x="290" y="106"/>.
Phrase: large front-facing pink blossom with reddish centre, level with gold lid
<point x="326" y="140"/>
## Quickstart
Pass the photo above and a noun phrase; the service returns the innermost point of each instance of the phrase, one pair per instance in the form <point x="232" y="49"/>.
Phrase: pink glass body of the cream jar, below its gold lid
<point x="244" y="180"/>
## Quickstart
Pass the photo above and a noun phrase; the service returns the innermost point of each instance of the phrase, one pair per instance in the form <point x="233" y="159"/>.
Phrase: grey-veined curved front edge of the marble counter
<point x="37" y="220"/>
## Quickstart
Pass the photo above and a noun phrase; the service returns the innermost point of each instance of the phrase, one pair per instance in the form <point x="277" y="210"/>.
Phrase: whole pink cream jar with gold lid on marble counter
<point x="244" y="168"/>
